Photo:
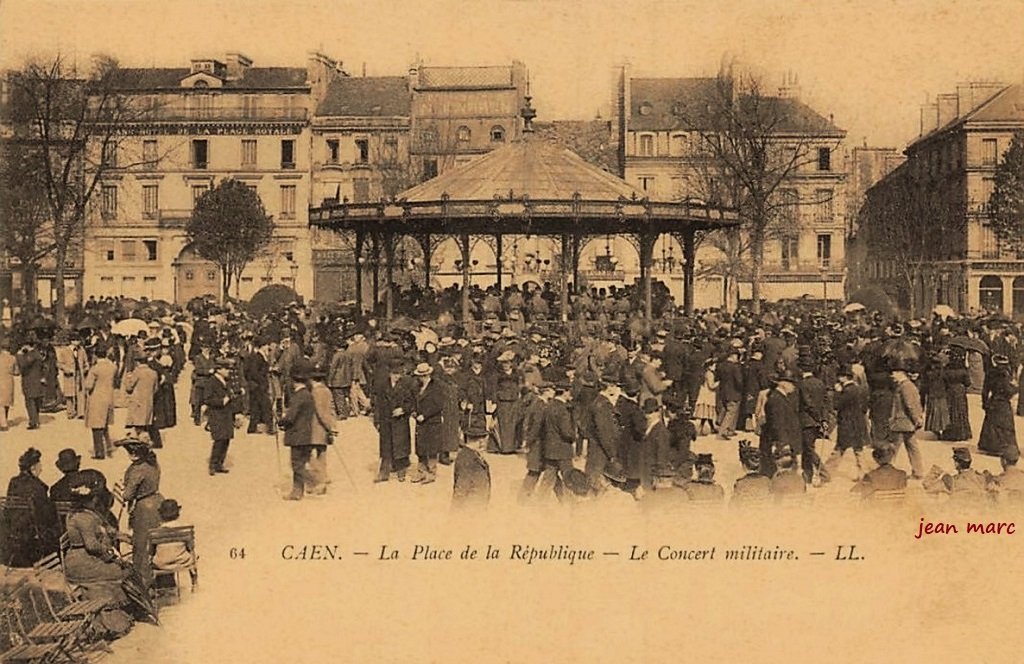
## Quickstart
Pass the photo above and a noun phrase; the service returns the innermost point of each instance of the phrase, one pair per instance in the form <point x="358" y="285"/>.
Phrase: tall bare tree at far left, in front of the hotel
<point x="75" y="124"/>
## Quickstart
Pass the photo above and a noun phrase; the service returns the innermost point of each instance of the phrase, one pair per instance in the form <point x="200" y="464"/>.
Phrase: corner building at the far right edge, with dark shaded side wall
<point x="950" y="177"/>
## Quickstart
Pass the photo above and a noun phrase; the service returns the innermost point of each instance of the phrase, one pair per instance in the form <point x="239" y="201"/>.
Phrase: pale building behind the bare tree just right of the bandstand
<point x="662" y="147"/>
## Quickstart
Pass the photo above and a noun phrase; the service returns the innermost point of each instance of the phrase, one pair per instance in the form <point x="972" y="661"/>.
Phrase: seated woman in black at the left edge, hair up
<point x="29" y="535"/>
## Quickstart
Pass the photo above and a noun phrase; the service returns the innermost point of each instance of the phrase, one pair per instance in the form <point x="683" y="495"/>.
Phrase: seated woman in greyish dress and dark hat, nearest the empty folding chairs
<point x="93" y="564"/>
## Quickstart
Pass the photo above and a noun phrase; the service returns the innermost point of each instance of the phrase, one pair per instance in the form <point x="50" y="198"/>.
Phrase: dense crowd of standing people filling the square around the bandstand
<point x="607" y="400"/>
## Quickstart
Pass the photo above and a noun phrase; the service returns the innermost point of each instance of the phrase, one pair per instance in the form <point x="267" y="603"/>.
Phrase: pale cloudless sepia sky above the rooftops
<point x="870" y="63"/>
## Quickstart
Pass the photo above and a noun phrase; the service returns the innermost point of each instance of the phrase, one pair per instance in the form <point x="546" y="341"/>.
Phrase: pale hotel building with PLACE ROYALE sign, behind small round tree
<point x="216" y="119"/>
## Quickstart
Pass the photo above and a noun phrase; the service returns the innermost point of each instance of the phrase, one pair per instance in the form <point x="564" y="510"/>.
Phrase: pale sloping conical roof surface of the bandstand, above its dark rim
<point x="535" y="168"/>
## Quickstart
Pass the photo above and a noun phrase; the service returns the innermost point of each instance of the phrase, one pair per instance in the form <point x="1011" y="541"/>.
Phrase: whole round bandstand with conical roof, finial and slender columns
<point x="532" y="187"/>
